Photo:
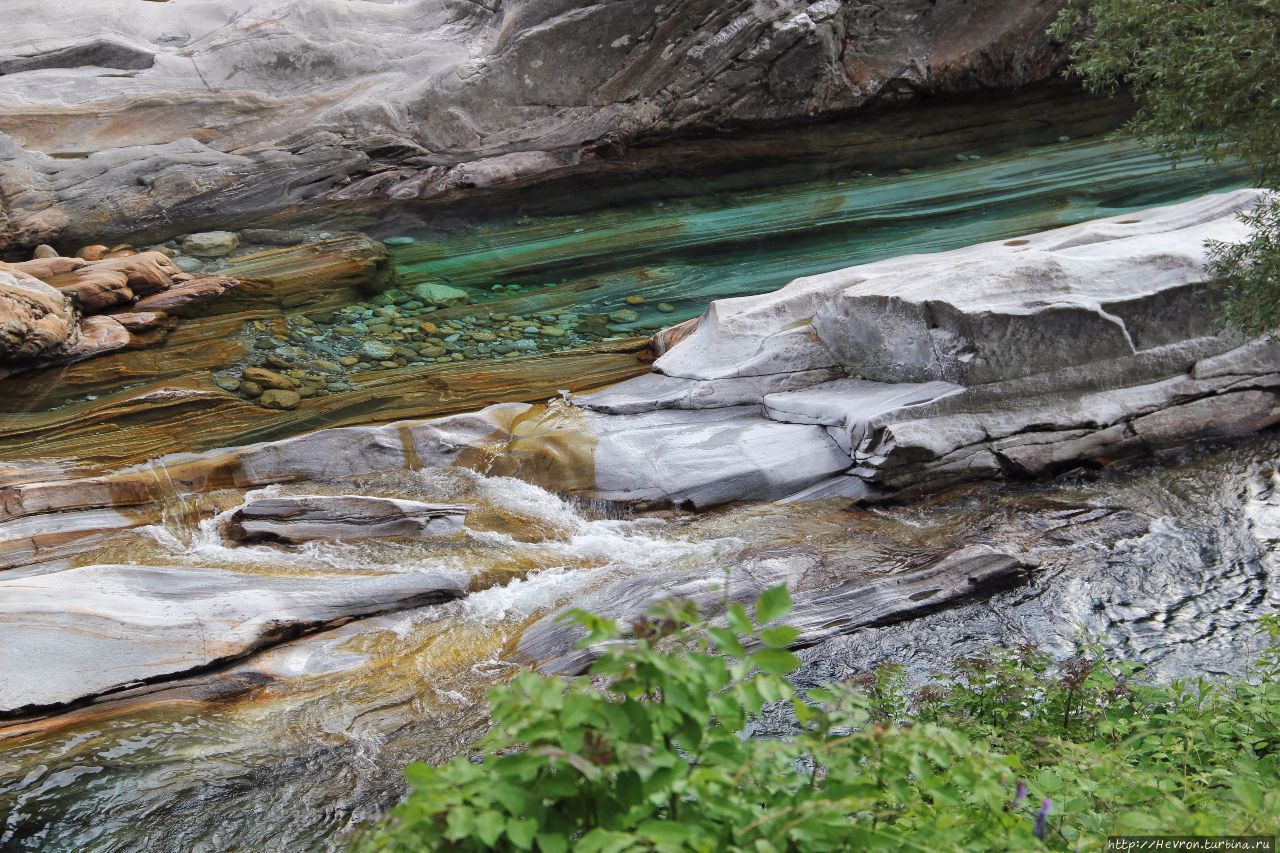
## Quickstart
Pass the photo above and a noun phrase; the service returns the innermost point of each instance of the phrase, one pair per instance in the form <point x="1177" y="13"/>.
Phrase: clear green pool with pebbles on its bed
<point x="520" y="286"/>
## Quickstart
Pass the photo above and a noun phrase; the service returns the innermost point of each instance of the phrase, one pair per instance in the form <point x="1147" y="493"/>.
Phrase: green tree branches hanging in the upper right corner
<point x="1206" y="79"/>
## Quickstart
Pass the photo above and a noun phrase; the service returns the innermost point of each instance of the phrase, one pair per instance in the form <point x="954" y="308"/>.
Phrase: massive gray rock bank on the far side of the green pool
<point x="228" y="110"/>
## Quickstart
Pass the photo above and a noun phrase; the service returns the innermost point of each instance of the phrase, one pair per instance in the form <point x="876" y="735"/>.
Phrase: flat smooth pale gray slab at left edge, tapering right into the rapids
<point x="80" y="633"/>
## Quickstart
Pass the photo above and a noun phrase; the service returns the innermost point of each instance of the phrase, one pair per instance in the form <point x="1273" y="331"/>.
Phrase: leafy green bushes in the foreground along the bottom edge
<point x="650" y="752"/>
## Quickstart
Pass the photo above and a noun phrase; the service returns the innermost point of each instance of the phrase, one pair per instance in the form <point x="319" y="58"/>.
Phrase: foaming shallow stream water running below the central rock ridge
<point x="1168" y="564"/>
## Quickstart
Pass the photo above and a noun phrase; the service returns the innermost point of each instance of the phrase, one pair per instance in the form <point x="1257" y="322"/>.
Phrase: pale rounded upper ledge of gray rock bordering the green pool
<point x="989" y="313"/>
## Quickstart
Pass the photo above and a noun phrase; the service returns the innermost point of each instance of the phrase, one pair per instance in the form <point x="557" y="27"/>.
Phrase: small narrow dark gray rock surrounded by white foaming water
<point x="304" y="518"/>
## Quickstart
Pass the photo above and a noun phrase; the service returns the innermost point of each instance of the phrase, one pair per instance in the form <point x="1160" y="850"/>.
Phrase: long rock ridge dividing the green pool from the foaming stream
<point x="1023" y="358"/>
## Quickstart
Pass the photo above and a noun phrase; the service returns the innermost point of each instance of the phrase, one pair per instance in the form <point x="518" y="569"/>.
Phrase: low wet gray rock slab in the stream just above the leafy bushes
<point x="820" y="614"/>
